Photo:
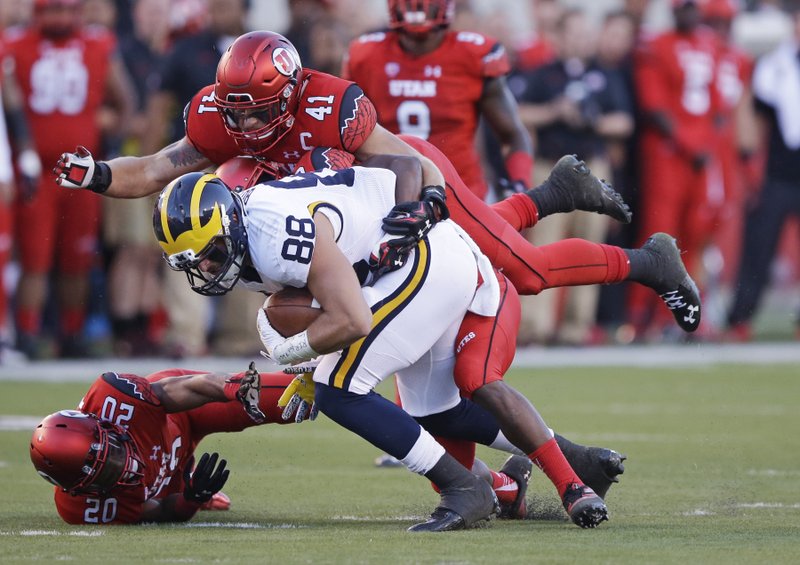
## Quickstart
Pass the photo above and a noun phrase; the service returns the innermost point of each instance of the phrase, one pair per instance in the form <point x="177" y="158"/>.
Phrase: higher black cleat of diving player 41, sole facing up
<point x="581" y="190"/>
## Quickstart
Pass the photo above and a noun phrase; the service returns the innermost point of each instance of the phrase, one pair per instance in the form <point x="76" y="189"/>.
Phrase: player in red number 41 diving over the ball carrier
<point x="289" y="110"/>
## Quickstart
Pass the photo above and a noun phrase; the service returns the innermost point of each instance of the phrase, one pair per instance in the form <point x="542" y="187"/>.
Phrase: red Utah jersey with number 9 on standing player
<point x="434" y="96"/>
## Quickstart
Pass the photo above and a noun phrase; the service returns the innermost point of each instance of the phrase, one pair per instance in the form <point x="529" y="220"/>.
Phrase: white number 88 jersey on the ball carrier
<point x="280" y="227"/>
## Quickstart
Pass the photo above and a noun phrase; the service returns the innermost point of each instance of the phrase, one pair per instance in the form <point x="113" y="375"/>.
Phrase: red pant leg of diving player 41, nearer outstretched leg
<point x="530" y="269"/>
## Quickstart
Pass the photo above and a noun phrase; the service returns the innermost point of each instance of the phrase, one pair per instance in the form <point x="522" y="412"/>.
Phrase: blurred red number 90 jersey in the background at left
<point x="63" y="83"/>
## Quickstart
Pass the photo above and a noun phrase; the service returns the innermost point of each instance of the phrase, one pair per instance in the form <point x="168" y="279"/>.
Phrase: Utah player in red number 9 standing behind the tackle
<point x="434" y="83"/>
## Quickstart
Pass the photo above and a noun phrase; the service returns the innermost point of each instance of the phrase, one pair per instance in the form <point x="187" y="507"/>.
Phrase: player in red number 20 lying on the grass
<point x="126" y="455"/>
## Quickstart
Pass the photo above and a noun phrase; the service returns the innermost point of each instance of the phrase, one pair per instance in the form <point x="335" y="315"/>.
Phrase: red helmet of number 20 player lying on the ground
<point x="84" y="455"/>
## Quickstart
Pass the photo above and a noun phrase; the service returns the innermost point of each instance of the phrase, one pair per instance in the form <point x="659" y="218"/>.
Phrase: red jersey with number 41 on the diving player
<point x="332" y="112"/>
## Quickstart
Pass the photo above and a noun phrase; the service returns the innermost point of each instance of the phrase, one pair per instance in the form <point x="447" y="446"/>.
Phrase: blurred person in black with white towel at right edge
<point x="776" y="88"/>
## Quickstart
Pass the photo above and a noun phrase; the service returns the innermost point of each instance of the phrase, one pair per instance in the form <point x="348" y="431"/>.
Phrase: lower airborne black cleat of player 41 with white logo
<point x="681" y="295"/>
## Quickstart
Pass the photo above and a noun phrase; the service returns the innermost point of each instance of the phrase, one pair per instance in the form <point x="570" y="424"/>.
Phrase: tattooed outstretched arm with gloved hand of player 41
<point x="128" y="177"/>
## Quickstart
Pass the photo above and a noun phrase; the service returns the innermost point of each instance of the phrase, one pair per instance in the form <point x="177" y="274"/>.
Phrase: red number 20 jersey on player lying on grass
<point x="162" y="440"/>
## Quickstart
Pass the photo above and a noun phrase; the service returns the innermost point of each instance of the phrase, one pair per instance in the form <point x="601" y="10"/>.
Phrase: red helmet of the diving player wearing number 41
<point x="256" y="89"/>
